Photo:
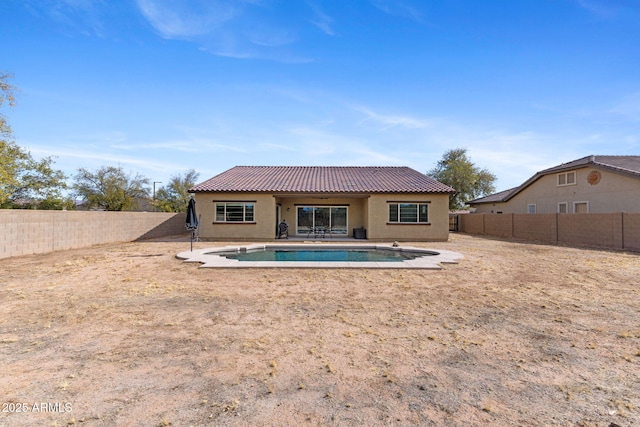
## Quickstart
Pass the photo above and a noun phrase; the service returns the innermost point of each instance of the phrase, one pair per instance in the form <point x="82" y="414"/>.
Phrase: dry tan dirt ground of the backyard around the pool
<point x="515" y="334"/>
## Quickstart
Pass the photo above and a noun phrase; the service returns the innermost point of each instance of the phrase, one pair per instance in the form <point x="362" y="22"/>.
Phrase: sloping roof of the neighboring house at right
<point x="626" y="165"/>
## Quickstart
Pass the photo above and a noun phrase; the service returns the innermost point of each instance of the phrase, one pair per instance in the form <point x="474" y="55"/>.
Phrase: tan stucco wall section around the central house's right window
<point x="379" y="228"/>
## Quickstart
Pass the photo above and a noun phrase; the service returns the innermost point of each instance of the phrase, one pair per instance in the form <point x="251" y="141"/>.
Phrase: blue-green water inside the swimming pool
<point x="328" y="255"/>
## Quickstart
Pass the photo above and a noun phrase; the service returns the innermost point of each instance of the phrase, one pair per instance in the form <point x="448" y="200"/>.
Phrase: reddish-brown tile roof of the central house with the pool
<point x="322" y="179"/>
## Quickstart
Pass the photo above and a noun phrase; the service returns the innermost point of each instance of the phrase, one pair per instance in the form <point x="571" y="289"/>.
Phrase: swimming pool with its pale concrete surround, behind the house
<point x="320" y="256"/>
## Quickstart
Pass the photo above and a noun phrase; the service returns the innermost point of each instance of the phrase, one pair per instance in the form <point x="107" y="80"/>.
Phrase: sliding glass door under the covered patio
<point x="331" y="219"/>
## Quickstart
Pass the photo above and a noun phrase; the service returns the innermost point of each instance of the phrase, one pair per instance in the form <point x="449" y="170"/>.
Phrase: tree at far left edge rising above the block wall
<point x="21" y="176"/>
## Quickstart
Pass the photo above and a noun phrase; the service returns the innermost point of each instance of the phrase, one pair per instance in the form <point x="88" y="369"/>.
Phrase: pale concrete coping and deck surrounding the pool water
<point x="208" y="258"/>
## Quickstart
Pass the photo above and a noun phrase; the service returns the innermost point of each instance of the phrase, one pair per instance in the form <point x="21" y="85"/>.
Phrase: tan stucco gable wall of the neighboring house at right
<point x="614" y="193"/>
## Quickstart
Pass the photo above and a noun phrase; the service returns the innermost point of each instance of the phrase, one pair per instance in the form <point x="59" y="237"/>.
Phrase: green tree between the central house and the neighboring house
<point x="470" y="182"/>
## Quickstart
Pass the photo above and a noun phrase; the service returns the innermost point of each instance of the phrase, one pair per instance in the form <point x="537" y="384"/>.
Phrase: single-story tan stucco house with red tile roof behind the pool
<point x="381" y="203"/>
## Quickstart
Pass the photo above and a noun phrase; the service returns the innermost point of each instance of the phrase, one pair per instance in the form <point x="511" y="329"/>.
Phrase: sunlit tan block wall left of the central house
<point x="25" y="232"/>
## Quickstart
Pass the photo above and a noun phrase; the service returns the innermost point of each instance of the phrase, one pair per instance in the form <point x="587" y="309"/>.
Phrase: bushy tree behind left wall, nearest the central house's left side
<point x="111" y="189"/>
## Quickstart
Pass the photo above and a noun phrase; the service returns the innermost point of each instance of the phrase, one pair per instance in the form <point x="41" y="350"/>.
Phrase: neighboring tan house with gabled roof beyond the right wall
<point x="592" y="184"/>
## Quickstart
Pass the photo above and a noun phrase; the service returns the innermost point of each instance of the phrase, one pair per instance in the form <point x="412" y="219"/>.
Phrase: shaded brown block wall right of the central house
<point x="619" y="230"/>
